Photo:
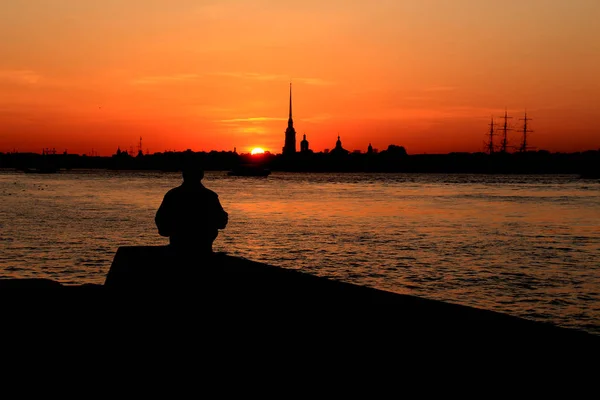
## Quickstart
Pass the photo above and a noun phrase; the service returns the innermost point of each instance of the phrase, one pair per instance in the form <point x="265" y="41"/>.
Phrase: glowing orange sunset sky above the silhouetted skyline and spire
<point x="214" y="75"/>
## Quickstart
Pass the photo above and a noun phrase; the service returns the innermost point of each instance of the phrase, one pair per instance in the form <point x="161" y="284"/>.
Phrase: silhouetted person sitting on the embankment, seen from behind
<point x="190" y="214"/>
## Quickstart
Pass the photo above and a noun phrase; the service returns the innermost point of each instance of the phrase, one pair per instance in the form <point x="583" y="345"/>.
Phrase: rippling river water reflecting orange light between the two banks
<point x="524" y="245"/>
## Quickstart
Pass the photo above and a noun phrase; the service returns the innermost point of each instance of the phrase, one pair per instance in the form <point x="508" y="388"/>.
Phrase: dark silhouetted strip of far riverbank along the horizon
<point x="393" y="159"/>
